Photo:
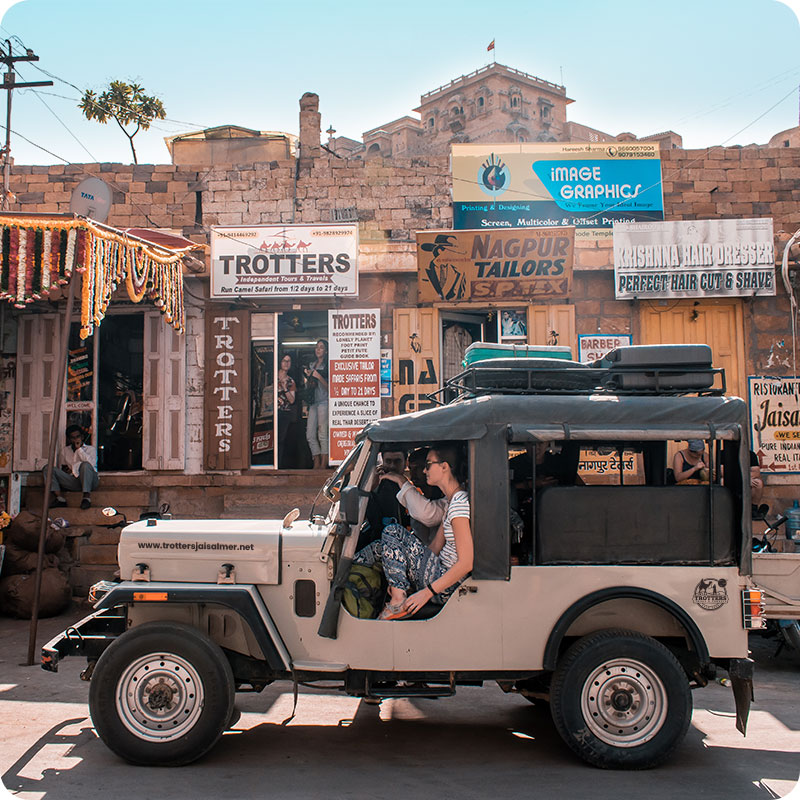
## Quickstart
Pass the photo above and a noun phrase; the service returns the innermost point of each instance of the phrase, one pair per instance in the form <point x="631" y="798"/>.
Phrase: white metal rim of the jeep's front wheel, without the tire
<point x="159" y="697"/>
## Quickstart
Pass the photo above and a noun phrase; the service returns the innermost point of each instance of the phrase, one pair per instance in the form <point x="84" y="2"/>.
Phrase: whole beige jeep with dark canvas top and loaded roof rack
<point x="604" y="589"/>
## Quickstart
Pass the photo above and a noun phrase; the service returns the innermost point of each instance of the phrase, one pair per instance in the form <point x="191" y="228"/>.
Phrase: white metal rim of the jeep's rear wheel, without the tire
<point x="624" y="703"/>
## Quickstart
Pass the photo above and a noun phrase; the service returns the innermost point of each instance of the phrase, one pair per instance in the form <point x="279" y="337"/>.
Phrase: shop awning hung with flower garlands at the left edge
<point x="39" y="252"/>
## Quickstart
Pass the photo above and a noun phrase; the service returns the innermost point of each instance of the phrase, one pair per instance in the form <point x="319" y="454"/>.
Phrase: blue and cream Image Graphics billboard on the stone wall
<point x="589" y="186"/>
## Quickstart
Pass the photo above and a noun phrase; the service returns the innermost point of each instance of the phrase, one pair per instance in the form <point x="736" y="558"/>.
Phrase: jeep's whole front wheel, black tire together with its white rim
<point x="161" y="694"/>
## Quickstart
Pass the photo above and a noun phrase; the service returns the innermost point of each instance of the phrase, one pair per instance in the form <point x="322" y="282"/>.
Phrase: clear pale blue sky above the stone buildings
<point x="715" y="71"/>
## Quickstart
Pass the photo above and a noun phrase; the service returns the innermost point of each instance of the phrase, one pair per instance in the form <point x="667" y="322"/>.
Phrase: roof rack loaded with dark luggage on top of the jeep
<point x="631" y="370"/>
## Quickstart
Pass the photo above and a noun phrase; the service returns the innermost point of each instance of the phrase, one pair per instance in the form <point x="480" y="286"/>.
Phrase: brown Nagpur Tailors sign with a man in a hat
<point x="461" y="266"/>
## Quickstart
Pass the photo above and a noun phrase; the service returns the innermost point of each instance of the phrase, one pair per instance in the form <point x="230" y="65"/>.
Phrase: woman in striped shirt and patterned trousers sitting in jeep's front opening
<point x="432" y="572"/>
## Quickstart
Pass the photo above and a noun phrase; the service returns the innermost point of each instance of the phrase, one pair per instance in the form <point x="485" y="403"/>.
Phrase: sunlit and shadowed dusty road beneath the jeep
<point x="479" y="744"/>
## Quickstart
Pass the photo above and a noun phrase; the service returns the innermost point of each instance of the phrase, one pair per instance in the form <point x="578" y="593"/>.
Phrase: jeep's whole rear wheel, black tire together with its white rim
<point x="620" y="700"/>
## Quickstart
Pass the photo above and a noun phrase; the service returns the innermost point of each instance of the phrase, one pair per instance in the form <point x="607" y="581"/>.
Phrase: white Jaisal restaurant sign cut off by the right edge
<point x="775" y="423"/>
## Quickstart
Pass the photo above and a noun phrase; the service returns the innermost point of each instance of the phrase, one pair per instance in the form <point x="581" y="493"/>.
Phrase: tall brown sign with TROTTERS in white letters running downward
<point x="226" y="432"/>
